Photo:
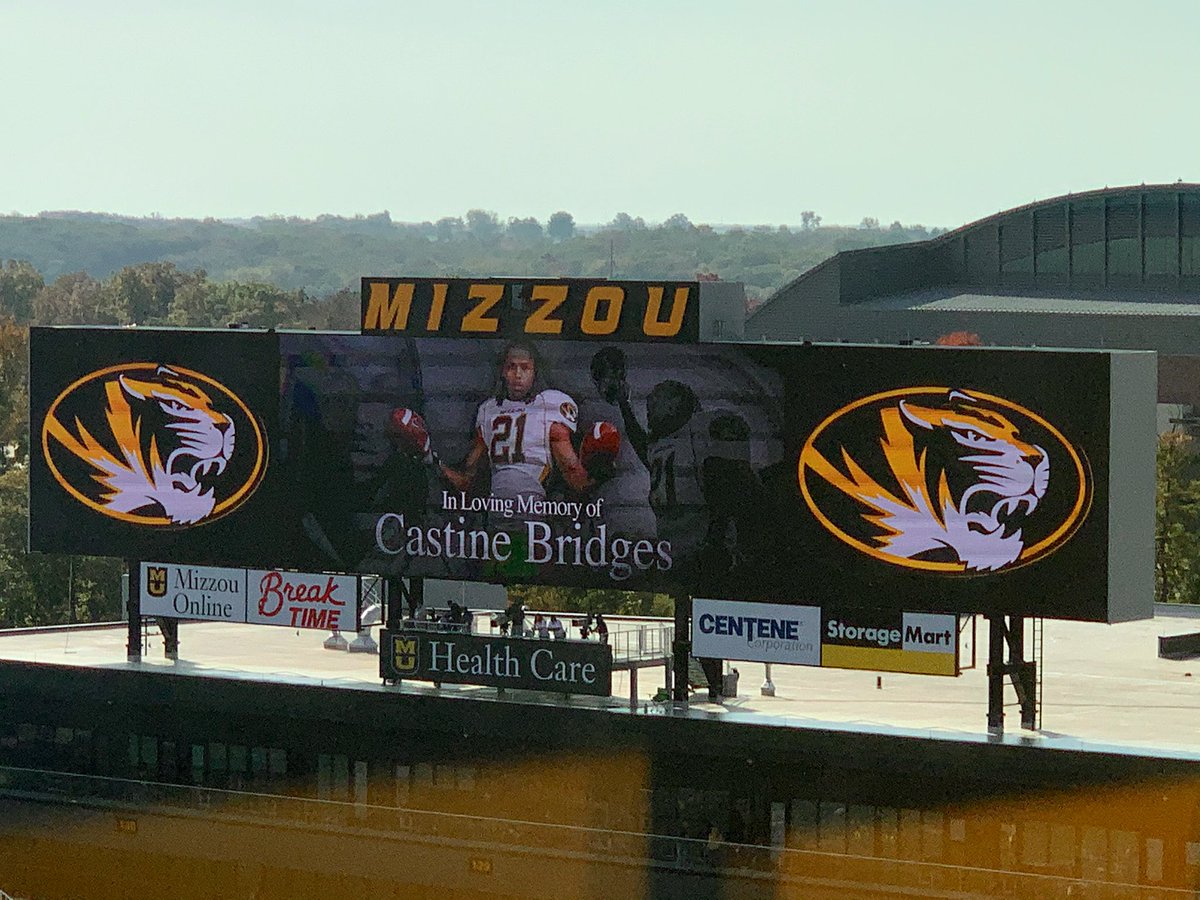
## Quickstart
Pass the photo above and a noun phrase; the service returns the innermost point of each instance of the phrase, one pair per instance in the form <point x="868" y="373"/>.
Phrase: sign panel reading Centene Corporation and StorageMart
<point x="883" y="641"/>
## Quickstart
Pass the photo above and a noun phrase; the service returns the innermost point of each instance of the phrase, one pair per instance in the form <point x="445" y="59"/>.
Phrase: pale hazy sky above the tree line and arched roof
<point x="920" y="111"/>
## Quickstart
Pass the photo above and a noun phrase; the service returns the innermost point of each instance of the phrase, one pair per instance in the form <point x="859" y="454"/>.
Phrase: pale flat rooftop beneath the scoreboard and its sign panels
<point x="1105" y="686"/>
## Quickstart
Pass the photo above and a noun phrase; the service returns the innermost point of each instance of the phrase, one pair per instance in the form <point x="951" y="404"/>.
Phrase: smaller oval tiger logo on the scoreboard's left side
<point x="154" y="446"/>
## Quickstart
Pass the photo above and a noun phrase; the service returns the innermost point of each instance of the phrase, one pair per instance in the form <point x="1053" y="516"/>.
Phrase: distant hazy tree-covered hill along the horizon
<point x="332" y="254"/>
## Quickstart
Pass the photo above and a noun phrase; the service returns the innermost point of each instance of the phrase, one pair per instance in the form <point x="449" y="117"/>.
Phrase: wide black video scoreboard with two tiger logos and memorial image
<point x="956" y="481"/>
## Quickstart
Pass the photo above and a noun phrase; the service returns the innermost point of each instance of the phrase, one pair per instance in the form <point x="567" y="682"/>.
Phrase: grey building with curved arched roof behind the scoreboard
<point x="1112" y="254"/>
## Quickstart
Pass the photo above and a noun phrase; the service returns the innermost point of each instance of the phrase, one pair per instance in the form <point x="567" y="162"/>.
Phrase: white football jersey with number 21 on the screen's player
<point x="517" y="436"/>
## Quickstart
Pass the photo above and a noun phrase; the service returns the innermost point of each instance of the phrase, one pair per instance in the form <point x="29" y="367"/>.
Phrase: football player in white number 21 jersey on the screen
<point x="524" y="434"/>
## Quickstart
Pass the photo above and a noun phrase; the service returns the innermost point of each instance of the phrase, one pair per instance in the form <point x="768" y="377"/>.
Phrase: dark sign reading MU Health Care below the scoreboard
<point x="445" y="657"/>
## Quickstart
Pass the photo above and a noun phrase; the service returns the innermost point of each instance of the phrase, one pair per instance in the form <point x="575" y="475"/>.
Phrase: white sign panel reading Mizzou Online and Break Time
<point x="260" y="597"/>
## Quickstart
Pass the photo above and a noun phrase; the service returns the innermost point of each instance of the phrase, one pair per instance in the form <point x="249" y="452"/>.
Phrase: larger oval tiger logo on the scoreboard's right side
<point x="945" y="481"/>
